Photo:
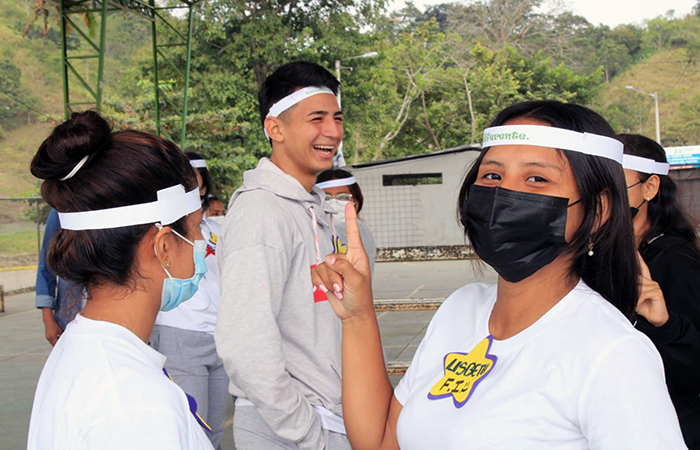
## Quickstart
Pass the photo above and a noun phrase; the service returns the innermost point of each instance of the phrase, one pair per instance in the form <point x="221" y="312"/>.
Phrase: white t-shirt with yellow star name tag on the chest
<point x="580" y="377"/>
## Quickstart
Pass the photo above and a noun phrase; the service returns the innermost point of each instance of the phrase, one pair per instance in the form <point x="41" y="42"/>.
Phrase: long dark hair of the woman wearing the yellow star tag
<point x="613" y="268"/>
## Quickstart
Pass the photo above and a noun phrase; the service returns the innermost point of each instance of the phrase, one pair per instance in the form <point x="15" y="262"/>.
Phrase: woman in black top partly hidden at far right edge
<point x="669" y="303"/>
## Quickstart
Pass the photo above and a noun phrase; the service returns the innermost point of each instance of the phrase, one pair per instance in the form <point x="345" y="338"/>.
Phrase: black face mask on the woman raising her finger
<point x="516" y="233"/>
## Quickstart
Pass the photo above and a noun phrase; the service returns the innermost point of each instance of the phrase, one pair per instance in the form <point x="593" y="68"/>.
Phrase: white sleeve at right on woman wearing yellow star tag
<point x="624" y="403"/>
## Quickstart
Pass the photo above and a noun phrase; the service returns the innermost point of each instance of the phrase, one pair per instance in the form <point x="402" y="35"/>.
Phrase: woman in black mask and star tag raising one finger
<point x="547" y="357"/>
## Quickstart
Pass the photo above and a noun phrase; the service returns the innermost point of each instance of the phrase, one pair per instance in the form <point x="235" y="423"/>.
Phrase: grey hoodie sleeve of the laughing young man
<point x="248" y="339"/>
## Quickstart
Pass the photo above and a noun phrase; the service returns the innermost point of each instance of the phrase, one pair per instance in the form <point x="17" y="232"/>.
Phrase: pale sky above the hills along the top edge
<point x="608" y="12"/>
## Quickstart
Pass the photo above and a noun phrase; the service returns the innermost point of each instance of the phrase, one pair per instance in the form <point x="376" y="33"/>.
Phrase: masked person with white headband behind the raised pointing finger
<point x="341" y="188"/>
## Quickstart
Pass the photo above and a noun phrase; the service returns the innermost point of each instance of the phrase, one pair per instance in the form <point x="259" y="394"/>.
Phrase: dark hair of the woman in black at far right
<point x="665" y="212"/>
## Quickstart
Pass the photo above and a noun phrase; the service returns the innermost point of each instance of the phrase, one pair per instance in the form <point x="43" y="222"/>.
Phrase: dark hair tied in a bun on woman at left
<point x="123" y="168"/>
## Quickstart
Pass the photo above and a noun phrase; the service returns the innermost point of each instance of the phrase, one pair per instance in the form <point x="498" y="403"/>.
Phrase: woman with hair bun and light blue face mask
<point x="129" y="210"/>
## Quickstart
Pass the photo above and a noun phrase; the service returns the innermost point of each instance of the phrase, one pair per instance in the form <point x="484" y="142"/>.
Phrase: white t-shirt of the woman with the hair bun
<point x="103" y="388"/>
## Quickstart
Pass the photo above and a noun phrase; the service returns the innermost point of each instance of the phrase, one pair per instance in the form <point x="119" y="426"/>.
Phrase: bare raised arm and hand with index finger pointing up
<point x="370" y="410"/>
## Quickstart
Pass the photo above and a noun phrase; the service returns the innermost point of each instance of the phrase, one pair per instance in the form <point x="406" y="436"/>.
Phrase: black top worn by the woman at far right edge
<point x="675" y="266"/>
